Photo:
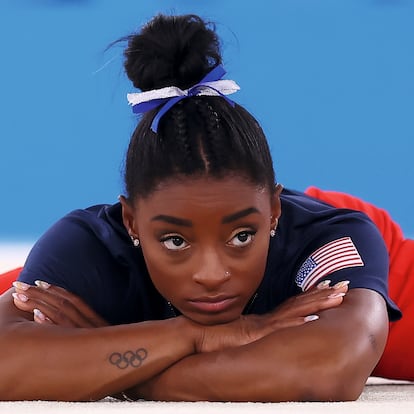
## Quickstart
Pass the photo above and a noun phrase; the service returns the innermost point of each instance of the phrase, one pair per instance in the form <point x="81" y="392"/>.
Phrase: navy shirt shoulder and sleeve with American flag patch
<point x="316" y="241"/>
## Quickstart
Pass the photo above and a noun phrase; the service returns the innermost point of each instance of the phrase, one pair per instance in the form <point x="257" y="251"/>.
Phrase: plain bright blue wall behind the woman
<point x="331" y="81"/>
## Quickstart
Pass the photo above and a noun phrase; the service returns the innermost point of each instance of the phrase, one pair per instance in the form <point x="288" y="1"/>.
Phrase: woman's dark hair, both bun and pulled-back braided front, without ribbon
<point x="199" y="136"/>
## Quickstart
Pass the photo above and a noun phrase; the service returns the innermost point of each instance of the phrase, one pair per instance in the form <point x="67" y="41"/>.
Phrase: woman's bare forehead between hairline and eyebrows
<point x="206" y="193"/>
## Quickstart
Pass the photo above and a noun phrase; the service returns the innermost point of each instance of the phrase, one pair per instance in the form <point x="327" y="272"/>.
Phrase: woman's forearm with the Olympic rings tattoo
<point x="53" y="363"/>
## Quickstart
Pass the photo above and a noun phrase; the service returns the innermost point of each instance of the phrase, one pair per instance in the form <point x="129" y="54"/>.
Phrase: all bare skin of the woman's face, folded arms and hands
<point x="217" y="349"/>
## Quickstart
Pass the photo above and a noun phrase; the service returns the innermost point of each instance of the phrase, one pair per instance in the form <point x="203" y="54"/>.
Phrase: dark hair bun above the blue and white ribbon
<point x="171" y="51"/>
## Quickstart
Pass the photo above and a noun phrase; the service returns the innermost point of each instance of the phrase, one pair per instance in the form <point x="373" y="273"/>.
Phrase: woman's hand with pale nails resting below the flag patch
<point x="295" y="311"/>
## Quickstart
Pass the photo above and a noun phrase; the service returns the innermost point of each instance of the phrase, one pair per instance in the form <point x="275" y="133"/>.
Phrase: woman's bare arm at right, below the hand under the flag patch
<point x="323" y="361"/>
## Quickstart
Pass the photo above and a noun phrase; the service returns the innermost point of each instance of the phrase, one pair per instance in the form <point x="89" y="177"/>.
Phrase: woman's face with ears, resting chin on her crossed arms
<point x="205" y="243"/>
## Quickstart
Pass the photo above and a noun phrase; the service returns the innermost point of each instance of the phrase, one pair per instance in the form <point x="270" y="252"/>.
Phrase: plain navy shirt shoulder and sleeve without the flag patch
<point x="88" y="253"/>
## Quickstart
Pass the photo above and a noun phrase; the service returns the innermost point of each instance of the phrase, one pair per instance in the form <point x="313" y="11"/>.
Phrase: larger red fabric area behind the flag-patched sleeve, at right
<point x="398" y="358"/>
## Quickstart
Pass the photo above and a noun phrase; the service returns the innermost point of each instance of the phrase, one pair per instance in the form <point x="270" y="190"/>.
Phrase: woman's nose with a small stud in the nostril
<point x="211" y="272"/>
